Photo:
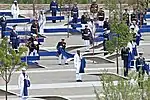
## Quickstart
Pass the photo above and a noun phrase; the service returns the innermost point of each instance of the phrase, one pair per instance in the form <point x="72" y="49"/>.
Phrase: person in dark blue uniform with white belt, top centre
<point x="74" y="14"/>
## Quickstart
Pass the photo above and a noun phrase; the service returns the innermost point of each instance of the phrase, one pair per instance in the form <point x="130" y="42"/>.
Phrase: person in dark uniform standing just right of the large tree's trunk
<point x="124" y="56"/>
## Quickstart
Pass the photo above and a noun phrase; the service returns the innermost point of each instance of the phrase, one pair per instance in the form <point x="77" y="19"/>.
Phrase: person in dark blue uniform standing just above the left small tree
<point x="14" y="39"/>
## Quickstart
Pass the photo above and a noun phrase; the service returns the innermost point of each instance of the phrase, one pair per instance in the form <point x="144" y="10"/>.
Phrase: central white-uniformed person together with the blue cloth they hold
<point x="79" y="64"/>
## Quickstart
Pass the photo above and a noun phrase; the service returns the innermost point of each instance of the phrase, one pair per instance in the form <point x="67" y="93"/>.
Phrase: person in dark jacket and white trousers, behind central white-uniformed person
<point x="86" y="33"/>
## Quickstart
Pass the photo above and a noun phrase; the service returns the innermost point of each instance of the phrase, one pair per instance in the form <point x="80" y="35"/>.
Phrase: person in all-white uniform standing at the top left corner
<point x="15" y="9"/>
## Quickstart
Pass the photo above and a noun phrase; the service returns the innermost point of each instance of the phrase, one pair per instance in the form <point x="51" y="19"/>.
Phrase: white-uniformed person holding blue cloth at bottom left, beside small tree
<point x="23" y="83"/>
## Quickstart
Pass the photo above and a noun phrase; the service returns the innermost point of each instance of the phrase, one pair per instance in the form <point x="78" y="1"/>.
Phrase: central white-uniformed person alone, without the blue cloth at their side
<point x="77" y="65"/>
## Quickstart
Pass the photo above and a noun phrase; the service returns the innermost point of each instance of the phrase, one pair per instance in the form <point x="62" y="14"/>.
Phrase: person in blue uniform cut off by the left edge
<point x="3" y="24"/>
